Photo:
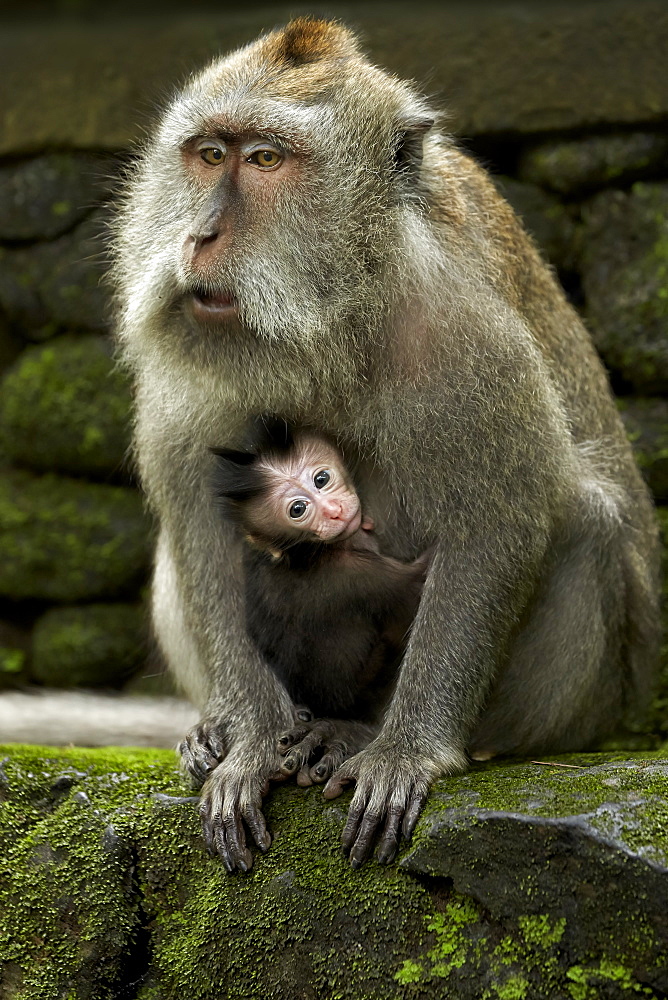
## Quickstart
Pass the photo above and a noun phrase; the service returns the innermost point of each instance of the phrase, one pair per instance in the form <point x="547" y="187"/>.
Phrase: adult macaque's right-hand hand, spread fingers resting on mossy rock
<point x="391" y="789"/>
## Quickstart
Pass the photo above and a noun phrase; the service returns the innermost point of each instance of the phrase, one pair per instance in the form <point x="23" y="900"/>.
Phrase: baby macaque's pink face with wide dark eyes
<point x="311" y="494"/>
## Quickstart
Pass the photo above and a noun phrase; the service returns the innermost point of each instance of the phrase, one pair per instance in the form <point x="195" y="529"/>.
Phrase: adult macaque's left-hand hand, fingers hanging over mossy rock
<point x="232" y="796"/>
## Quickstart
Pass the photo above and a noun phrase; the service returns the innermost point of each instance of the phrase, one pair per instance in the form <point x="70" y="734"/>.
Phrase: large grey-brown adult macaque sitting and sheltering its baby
<point x="299" y="237"/>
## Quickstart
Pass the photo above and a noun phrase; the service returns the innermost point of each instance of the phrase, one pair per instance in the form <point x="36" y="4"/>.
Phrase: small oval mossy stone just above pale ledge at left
<point x="89" y="646"/>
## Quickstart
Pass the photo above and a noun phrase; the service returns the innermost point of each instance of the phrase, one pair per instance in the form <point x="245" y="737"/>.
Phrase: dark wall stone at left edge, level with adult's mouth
<point x="56" y="285"/>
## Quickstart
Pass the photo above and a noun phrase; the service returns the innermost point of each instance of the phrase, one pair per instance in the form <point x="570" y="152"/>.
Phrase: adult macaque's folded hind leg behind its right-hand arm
<point x="572" y="669"/>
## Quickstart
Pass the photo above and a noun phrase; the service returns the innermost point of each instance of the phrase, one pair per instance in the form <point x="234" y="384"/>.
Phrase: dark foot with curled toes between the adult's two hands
<point x="314" y="749"/>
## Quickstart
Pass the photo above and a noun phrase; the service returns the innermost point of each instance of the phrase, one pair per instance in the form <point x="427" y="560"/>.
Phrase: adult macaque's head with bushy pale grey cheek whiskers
<point x="270" y="203"/>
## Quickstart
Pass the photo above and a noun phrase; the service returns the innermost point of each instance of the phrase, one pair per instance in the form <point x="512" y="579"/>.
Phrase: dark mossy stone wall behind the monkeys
<point x="566" y="103"/>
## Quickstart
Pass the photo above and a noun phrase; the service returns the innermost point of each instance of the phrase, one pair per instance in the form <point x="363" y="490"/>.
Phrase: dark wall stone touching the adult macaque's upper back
<point x="548" y="221"/>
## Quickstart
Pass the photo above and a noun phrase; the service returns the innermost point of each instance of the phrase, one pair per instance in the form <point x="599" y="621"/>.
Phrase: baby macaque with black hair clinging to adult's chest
<point x="327" y="610"/>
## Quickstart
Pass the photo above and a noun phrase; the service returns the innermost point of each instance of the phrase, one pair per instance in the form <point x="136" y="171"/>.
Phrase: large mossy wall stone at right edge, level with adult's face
<point x="625" y="280"/>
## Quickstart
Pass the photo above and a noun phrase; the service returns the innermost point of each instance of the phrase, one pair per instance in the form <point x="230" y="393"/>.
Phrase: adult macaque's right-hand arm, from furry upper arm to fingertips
<point x="493" y="538"/>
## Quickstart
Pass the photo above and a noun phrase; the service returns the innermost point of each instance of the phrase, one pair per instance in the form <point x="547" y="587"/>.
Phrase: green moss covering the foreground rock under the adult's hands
<point x="99" y="844"/>
